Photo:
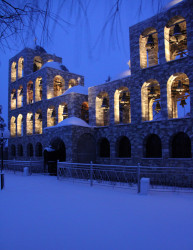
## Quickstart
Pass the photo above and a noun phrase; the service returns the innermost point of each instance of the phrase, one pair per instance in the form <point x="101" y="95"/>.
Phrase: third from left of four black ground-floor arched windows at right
<point x="153" y="147"/>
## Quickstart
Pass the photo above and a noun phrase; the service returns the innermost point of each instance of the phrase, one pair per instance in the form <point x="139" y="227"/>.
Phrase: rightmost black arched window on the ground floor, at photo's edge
<point x="181" y="146"/>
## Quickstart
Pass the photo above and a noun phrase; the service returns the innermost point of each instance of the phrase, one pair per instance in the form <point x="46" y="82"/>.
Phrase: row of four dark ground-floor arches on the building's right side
<point x="180" y="147"/>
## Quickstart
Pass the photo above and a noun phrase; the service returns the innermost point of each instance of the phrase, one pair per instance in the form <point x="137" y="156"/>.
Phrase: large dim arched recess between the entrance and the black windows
<point x="86" y="149"/>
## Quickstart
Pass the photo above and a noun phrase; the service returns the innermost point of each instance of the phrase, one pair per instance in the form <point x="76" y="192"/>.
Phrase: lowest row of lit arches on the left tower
<point x="16" y="124"/>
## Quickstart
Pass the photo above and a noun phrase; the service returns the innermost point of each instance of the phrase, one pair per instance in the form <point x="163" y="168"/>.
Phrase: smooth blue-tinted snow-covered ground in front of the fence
<point x="40" y="212"/>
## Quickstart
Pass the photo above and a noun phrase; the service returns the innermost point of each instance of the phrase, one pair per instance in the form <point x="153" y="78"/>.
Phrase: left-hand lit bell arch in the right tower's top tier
<point x="148" y="45"/>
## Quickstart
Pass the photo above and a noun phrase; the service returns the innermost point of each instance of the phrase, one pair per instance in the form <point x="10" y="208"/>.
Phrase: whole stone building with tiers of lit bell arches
<point x="144" y="118"/>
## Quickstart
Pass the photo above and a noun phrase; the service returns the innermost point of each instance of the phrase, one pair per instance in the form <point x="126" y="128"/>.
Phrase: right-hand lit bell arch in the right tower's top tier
<point x="175" y="37"/>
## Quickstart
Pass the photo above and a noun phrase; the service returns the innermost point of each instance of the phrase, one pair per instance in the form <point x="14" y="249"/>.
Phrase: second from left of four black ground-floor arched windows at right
<point x="123" y="147"/>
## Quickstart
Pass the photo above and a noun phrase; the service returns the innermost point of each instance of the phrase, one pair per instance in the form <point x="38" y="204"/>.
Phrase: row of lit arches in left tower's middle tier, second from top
<point x="35" y="94"/>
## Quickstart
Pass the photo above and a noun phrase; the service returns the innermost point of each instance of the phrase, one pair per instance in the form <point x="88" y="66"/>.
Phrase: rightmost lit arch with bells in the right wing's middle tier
<point x="178" y="96"/>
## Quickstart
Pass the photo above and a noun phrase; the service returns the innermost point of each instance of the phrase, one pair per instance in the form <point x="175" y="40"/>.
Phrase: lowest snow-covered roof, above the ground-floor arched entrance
<point x="71" y="121"/>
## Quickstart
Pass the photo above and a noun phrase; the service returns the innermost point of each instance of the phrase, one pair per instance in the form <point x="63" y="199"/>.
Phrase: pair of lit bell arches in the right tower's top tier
<point x="175" y="38"/>
